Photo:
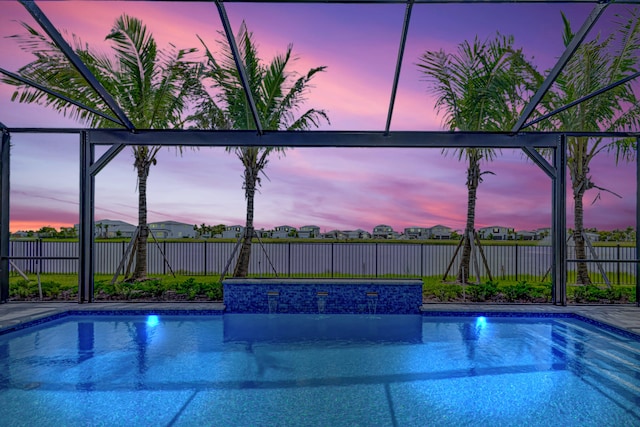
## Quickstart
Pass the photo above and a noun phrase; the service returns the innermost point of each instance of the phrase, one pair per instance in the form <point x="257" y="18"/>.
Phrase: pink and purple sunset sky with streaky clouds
<point x="334" y="188"/>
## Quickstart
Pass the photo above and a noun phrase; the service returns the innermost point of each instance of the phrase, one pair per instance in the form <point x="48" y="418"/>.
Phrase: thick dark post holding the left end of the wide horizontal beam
<point x="86" y="227"/>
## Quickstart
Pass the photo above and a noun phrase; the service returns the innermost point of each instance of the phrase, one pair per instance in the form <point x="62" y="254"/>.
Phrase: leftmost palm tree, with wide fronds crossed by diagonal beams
<point x="150" y="86"/>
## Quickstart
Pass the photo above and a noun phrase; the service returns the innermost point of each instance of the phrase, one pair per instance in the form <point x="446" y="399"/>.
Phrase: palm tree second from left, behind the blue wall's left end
<point x="278" y="94"/>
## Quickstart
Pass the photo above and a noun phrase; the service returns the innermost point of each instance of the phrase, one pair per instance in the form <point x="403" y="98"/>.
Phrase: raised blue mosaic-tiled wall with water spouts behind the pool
<point x="339" y="295"/>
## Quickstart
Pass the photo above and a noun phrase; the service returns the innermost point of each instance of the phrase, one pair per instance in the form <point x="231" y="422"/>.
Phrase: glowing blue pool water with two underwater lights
<point x="310" y="370"/>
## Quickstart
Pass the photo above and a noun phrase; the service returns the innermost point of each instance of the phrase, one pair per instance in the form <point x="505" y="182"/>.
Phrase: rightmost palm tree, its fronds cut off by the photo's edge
<point x="596" y="64"/>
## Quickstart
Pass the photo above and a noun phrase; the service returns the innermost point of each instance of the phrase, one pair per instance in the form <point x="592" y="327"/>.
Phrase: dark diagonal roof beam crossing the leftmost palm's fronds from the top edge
<point x="57" y="38"/>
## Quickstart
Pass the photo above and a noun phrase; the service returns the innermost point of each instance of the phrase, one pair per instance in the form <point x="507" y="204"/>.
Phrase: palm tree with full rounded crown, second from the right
<point x="478" y="88"/>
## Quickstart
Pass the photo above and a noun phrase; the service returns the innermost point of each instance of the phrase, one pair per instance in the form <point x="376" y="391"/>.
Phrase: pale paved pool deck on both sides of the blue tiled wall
<point x="622" y="316"/>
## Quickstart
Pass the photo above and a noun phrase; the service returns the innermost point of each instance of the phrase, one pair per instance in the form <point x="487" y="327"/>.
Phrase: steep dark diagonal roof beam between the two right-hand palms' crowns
<point x="562" y="61"/>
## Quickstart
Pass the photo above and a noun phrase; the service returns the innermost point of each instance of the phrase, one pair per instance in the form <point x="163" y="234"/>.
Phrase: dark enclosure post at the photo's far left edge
<point x="4" y="215"/>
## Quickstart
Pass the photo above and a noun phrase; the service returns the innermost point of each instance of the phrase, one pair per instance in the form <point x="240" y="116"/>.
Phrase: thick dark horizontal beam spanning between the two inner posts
<point x="399" y="139"/>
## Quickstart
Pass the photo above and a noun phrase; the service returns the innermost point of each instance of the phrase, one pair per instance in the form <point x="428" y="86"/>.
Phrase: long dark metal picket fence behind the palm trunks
<point x="321" y="259"/>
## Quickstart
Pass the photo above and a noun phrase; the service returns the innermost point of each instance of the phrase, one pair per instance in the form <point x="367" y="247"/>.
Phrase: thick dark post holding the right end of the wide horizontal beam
<point x="559" y="224"/>
